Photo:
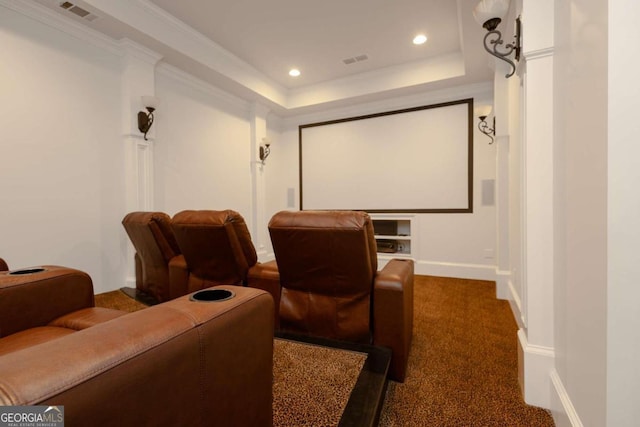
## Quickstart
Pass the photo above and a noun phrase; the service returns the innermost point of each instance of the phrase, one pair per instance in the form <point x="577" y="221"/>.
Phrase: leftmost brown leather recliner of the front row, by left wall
<point x="160" y="267"/>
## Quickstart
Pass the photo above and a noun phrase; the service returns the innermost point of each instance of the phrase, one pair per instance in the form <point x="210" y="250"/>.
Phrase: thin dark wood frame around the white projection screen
<point x="468" y="101"/>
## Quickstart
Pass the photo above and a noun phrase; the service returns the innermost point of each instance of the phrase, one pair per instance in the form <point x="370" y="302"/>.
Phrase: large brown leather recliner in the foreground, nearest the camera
<point x="183" y="362"/>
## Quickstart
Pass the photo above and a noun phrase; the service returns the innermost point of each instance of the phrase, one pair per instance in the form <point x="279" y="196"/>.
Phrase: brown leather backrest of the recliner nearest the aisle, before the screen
<point x="327" y="262"/>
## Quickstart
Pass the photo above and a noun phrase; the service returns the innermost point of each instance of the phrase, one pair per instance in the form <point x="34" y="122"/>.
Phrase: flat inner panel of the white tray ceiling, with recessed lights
<point x="316" y="36"/>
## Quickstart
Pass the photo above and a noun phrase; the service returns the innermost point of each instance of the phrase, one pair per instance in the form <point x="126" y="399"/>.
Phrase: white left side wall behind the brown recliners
<point x="67" y="179"/>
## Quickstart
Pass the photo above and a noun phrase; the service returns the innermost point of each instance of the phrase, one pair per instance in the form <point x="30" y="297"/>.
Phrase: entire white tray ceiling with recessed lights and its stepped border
<point x="247" y="47"/>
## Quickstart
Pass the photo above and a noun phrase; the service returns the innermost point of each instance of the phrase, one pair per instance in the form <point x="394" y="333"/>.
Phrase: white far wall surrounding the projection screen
<point x="455" y="245"/>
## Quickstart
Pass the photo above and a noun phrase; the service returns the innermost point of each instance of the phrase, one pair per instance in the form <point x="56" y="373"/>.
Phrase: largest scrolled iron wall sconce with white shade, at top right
<point x="489" y="14"/>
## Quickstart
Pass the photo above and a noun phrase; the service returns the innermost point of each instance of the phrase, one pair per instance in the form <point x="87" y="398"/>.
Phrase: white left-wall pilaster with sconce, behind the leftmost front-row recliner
<point x="138" y="79"/>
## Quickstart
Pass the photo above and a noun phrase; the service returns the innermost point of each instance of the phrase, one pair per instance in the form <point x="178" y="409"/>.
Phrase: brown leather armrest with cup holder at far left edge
<point x="35" y="299"/>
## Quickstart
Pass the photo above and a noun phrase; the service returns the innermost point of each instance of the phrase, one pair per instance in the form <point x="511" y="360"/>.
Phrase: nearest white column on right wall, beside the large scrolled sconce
<point x="536" y="336"/>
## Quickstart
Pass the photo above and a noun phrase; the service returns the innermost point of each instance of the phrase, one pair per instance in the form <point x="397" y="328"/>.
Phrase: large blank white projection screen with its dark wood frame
<point x="412" y="160"/>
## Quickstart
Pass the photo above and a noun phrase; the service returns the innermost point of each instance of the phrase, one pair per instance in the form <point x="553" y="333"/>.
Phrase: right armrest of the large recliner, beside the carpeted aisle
<point x="393" y="313"/>
